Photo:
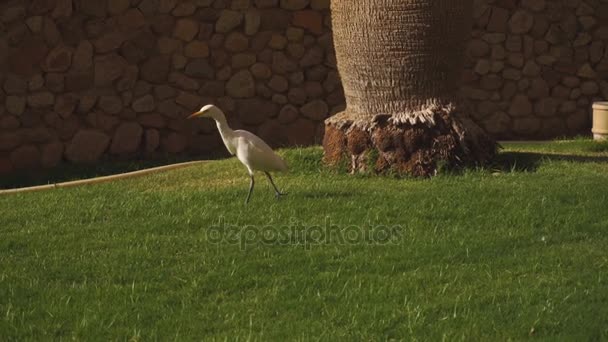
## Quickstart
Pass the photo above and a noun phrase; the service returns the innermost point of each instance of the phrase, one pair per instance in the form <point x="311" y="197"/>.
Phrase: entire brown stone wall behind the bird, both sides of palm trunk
<point x="82" y="80"/>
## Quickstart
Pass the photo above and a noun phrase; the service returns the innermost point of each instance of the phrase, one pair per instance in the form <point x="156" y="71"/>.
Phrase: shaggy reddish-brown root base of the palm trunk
<point x="383" y="144"/>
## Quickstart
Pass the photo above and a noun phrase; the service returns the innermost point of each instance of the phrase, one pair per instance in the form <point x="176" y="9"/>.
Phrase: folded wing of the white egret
<point x="258" y="154"/>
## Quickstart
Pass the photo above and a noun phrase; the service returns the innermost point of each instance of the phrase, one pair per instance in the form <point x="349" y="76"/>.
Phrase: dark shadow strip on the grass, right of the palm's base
<point x="531" y="161"/>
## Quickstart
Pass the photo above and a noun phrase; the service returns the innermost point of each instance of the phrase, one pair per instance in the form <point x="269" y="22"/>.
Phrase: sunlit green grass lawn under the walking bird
<point x="514" y="251"/>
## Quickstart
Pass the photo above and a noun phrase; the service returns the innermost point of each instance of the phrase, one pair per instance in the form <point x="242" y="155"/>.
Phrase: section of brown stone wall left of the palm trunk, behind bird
<point x="80" y="79"/>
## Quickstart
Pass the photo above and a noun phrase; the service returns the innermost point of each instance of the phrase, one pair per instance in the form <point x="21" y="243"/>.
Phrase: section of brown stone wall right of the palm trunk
<point x="536" y="66"/>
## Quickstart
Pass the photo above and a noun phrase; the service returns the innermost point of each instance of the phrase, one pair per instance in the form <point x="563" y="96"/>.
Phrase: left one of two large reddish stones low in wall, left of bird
<point x="87" y="146"/>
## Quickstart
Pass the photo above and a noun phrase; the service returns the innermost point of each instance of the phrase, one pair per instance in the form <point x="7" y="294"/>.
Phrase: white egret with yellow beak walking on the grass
<point x="252" y="151"/>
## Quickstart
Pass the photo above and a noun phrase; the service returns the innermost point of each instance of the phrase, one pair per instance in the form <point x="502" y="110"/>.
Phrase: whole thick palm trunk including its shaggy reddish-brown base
<point x="400" y="62"/>
